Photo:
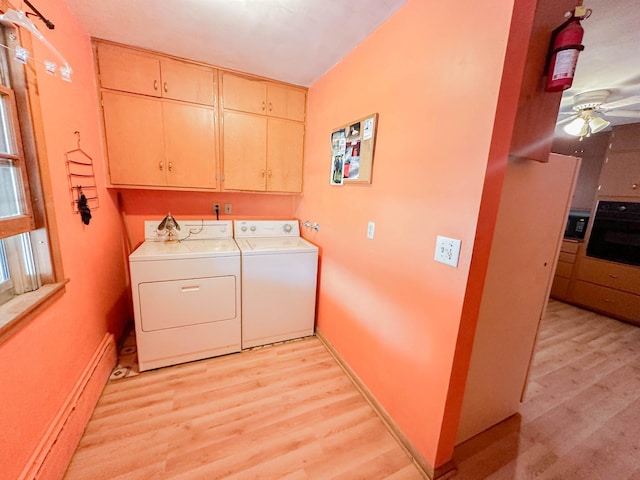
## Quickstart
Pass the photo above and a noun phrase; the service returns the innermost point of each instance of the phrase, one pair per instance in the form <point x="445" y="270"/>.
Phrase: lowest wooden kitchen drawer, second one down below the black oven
<point x="606" y="300"/>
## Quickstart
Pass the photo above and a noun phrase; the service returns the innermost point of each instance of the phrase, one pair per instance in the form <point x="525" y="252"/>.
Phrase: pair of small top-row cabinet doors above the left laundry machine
<point x="133" y="71"/>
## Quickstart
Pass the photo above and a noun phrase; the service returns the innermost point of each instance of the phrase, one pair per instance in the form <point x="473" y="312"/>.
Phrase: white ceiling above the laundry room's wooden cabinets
<point x="295" y="41"/>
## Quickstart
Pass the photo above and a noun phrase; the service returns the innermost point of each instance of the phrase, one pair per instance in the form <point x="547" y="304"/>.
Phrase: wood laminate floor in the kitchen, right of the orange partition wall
<point x="580" y="418"/>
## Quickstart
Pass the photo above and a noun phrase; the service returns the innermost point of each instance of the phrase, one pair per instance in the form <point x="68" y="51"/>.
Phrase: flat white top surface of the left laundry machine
<point x="152" y="250"/>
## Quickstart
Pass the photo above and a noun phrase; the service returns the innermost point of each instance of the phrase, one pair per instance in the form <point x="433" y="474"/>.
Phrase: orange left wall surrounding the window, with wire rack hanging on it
<point x="42" y="362"/>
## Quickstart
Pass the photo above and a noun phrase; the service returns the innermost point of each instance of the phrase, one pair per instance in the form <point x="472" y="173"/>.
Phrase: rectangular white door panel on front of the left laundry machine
<point x="177" y="303"/>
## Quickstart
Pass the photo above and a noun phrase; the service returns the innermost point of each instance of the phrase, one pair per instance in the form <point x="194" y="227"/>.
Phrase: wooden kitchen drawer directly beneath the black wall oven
<point x="610" y="274"/>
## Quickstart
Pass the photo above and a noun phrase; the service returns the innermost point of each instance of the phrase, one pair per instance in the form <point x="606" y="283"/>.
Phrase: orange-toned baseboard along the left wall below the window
<point x="53" y="454"/>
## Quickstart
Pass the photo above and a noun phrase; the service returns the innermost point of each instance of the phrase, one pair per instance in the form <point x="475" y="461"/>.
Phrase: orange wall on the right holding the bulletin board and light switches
<point x="433" y="73"/>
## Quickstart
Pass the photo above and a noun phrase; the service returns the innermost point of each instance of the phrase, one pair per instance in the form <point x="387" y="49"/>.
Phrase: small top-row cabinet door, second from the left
<point x="187" y="82"/>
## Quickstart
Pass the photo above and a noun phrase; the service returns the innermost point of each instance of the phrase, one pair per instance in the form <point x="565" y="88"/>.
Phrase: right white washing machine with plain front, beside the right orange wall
<point x="279" y="277"/>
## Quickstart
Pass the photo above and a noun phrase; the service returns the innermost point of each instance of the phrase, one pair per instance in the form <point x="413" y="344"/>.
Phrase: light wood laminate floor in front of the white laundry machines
<point x="282" y="412"/>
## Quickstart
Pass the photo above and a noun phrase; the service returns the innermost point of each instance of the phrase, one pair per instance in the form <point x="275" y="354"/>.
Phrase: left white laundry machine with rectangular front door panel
<point x="186" y="294"/>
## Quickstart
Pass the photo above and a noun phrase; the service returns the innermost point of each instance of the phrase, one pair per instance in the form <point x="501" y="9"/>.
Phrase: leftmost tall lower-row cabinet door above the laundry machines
<point x="134" y="137"/>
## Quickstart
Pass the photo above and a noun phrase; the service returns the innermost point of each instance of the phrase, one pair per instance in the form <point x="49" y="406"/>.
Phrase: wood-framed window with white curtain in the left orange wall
<point x="26" y="259"/>
